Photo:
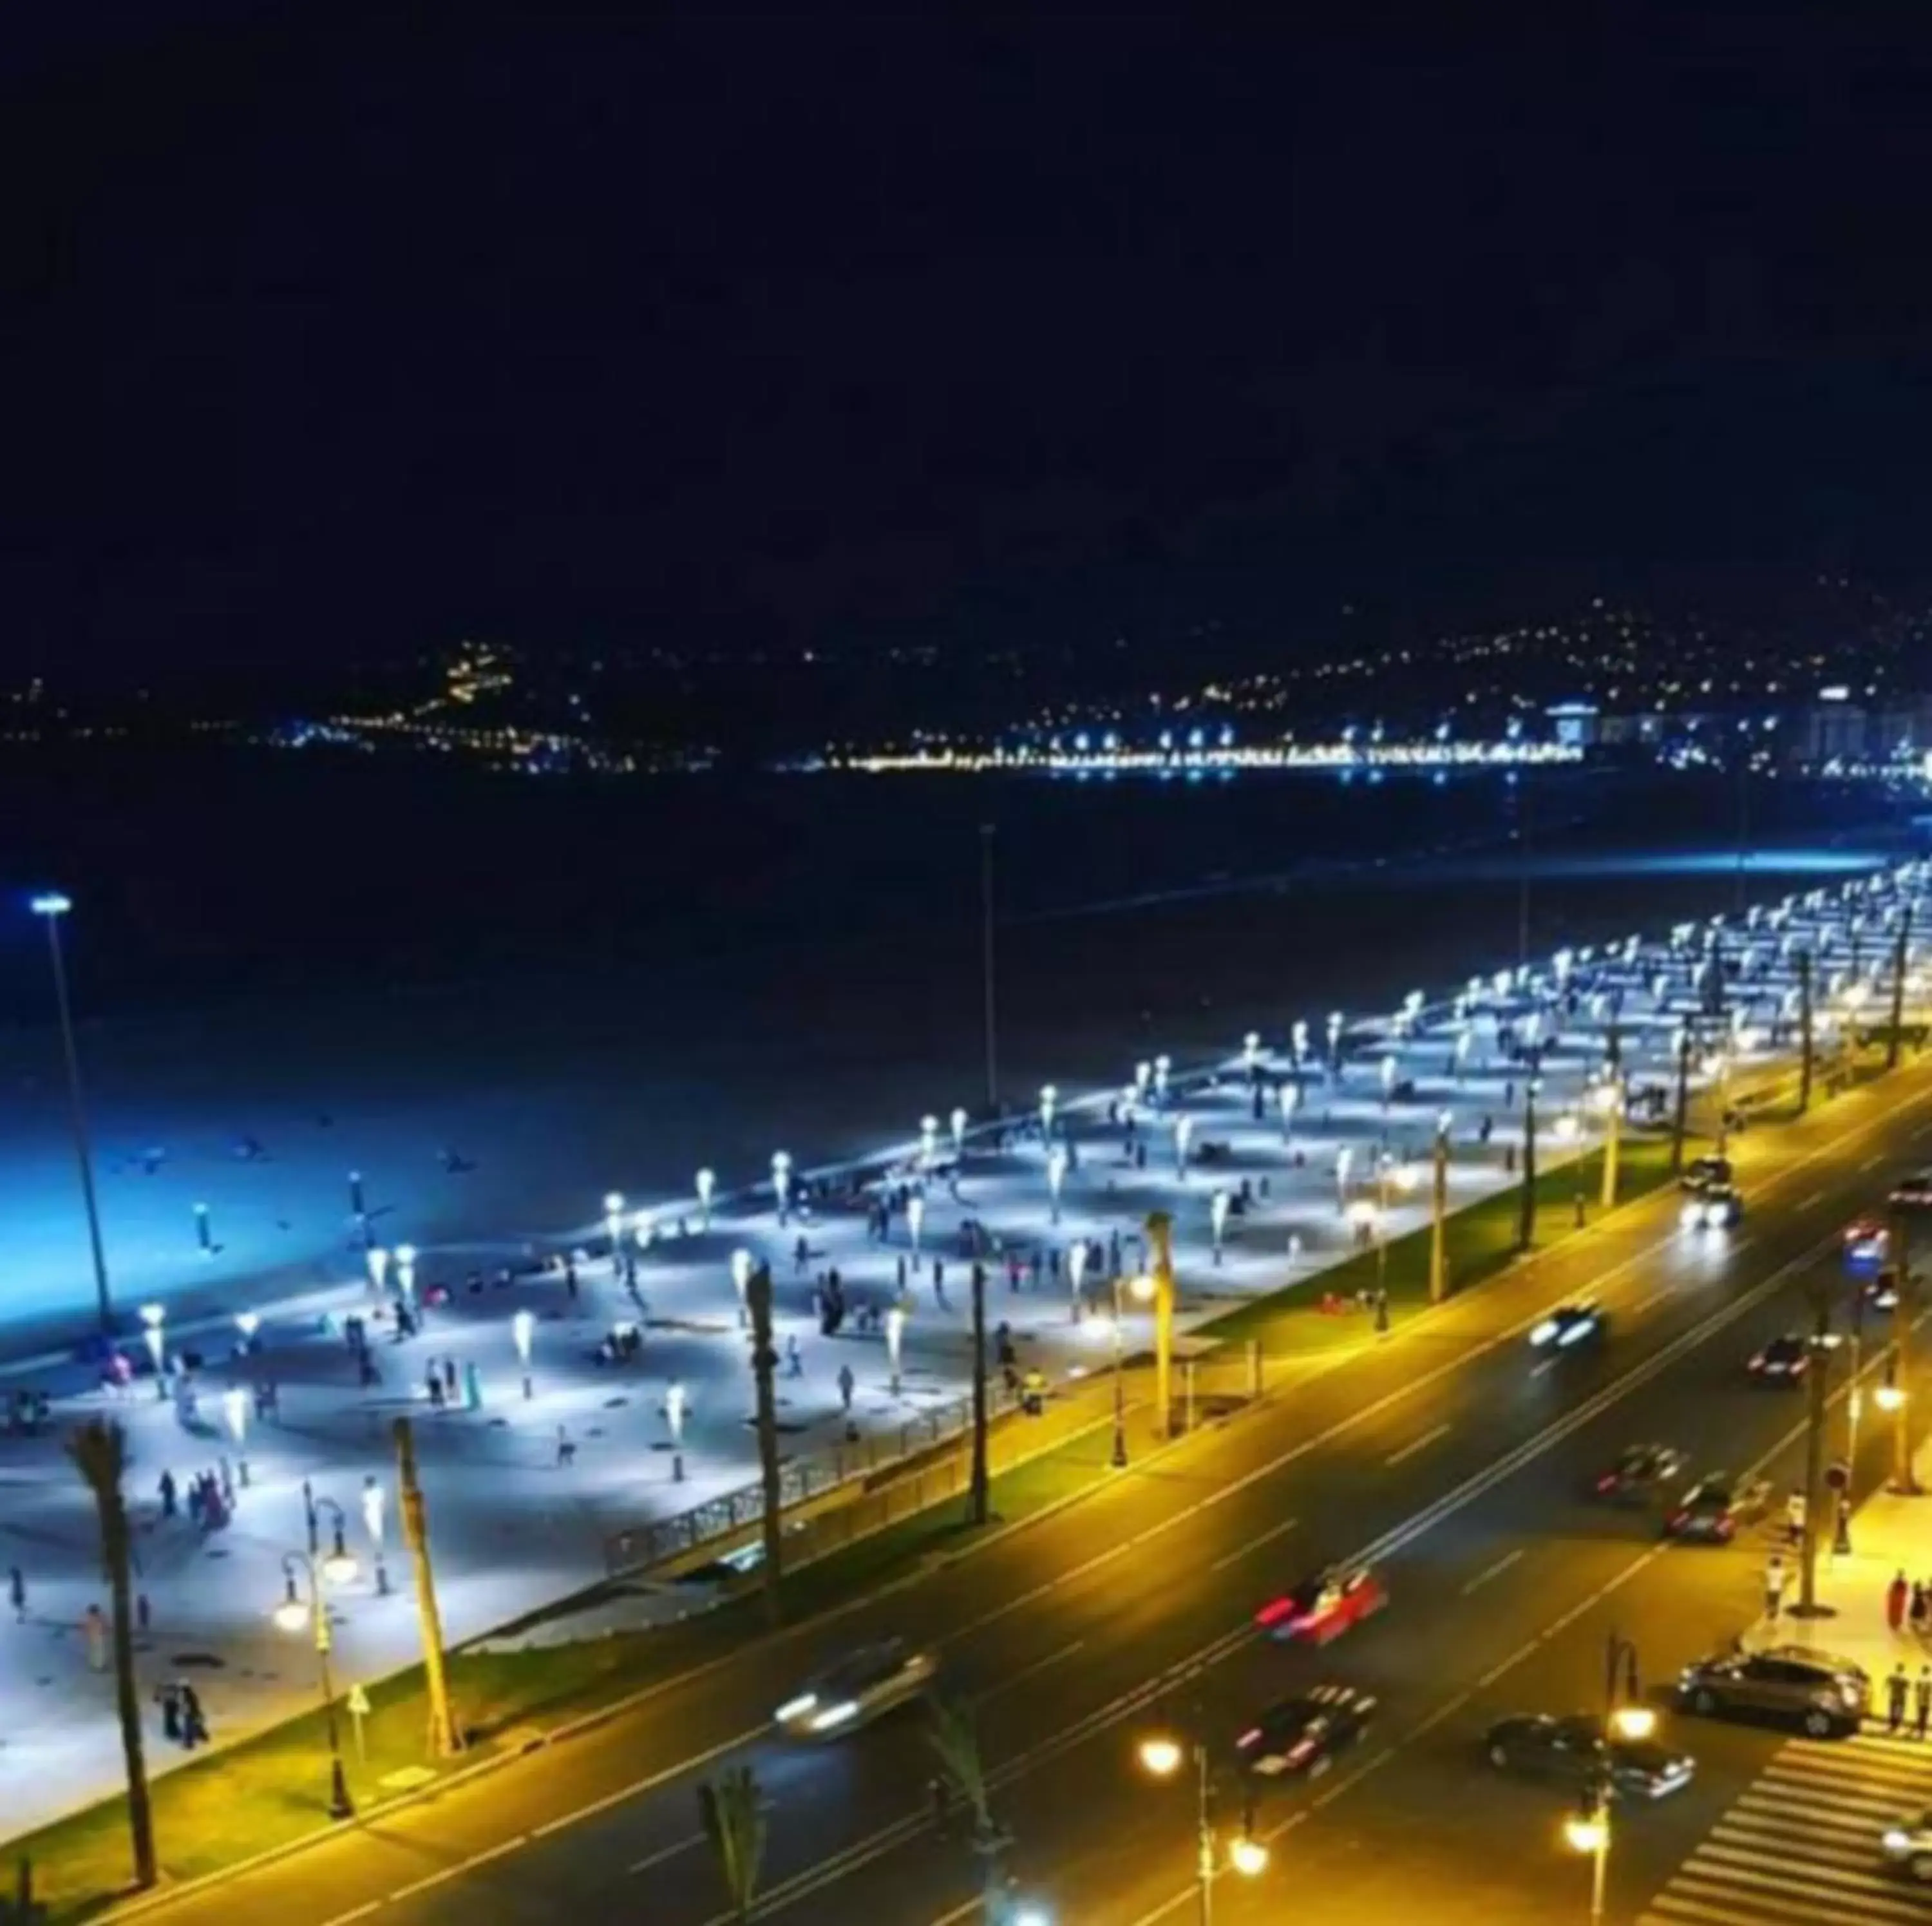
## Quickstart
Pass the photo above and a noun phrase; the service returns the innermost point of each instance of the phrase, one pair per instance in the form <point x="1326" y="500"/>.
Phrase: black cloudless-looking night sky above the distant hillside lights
<point x="326" y="333"/>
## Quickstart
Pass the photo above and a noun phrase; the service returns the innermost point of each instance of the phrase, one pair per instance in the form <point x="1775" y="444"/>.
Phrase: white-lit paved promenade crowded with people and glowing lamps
<point x="579" y="1388"/>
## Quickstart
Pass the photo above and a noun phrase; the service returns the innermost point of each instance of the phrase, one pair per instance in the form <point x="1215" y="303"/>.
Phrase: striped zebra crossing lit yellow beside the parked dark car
<point x="1800" y="1848"/>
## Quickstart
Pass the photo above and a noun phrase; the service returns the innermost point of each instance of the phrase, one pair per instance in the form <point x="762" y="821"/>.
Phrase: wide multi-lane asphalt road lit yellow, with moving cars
<point x="1446" y="1452"/>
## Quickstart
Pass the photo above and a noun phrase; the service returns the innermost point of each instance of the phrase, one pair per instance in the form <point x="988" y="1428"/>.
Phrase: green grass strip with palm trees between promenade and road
<point x="271" y="1790"/>
